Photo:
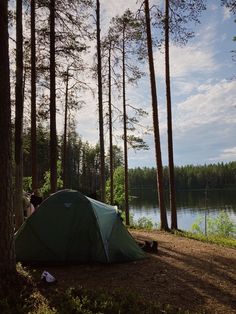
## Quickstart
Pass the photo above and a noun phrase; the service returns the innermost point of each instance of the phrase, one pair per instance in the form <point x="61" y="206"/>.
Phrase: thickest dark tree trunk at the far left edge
<point x="7" y="255"/>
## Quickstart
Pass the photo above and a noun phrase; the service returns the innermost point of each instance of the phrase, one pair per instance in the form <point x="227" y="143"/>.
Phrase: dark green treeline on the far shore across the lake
<point x="212" y="176"/>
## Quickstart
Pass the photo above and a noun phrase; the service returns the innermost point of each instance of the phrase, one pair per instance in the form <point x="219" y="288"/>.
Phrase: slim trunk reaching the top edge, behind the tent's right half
<point x="100" y="107"/>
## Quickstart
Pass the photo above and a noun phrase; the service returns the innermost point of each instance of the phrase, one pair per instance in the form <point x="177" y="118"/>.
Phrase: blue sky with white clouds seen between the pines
<point x="203" y="93"/>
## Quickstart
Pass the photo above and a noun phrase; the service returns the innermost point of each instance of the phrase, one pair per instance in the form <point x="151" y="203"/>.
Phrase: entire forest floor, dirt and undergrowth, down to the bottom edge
<point x="184" y="276"/>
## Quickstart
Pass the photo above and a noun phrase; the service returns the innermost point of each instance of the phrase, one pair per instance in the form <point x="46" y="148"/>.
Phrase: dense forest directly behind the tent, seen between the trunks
<point x="82" y="165"/>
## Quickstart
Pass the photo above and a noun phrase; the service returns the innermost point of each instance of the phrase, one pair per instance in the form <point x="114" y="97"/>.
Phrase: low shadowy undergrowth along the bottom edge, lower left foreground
<point x="38" y="298"/>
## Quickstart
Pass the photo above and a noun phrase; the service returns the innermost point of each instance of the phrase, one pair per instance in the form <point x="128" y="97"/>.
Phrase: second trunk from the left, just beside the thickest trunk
<point x="18" y="194"/>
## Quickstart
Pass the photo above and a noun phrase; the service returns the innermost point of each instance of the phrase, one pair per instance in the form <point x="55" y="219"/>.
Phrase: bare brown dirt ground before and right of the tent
<point x="185" y="273"/>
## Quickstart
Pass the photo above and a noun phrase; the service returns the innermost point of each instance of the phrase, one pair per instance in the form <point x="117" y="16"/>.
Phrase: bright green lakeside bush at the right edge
<point x="220" y="226"/>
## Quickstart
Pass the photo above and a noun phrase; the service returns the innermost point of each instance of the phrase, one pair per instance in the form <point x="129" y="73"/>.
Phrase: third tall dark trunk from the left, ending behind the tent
<point x="33" y="102"/>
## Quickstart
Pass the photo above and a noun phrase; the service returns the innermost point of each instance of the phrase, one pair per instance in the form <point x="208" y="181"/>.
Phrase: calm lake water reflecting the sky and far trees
<point x="190" y="205"/>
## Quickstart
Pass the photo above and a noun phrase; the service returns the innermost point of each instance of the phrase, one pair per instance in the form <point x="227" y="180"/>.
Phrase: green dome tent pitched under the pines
<point x="70" y="227"/>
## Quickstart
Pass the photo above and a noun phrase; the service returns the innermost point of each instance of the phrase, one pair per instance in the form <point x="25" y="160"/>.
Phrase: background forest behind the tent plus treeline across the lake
<point x="83" y="167"/>
